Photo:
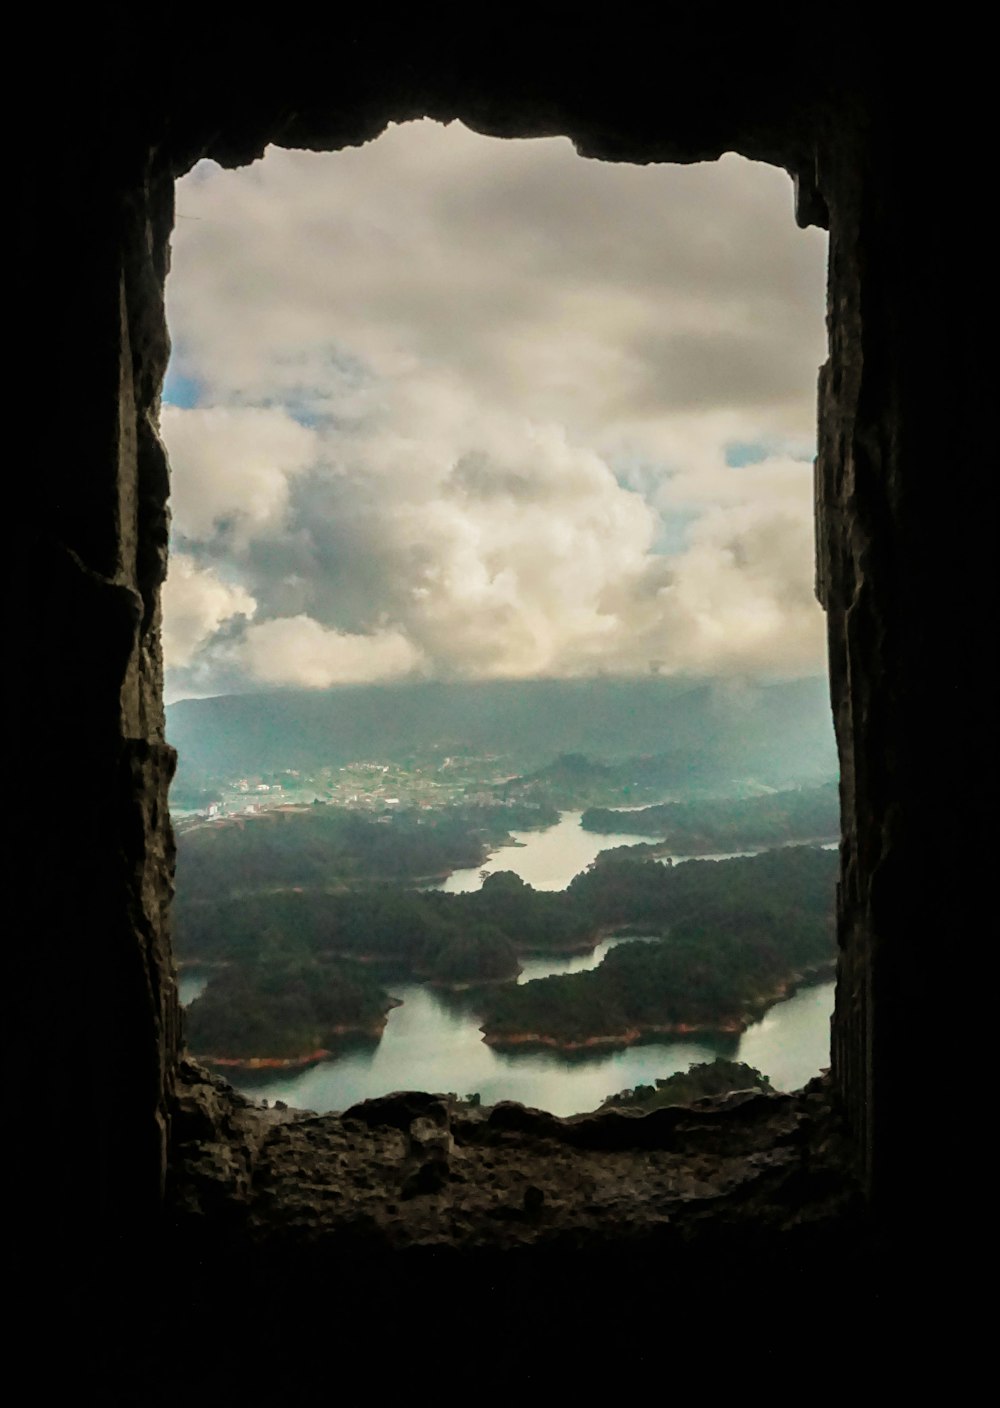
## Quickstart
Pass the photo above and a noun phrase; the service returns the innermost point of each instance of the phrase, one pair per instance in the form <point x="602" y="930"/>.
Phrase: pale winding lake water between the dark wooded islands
<point x="433" y="1041"/>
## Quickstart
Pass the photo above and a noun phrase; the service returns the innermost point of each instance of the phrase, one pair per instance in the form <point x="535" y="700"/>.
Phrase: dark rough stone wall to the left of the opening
<point x="95" y="1013"/>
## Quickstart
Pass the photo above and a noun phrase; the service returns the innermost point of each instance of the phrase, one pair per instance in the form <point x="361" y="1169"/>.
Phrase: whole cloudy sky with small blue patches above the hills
<point x="449" y="406"/>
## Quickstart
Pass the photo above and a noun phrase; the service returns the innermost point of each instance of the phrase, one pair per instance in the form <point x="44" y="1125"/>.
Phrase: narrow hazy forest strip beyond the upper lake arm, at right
<point x="712" y="824"/>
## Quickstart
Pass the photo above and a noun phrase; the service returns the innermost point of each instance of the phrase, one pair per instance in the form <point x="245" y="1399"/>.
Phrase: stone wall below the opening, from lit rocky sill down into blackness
<point x="530" y="1257"/>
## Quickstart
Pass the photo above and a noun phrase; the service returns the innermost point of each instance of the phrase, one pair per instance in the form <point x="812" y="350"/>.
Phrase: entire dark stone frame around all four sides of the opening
<point x="902" y="564"/>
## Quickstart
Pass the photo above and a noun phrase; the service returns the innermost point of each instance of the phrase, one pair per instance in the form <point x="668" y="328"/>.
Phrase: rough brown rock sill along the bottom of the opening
<point x="411" y="1172"/>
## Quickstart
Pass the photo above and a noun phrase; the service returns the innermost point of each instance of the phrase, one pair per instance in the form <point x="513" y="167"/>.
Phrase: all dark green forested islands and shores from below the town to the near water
<point x="305" y="923"/>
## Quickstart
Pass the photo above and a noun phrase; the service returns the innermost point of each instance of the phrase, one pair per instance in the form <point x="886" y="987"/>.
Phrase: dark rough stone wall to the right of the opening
<point x="904" y="570"/>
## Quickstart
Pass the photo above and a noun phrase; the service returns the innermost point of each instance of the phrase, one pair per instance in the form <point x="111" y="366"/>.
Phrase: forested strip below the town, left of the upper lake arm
<point x="336" y="847"/>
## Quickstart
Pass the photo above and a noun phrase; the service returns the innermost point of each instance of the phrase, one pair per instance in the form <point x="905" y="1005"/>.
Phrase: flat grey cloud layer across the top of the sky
<point x="587" y="292"/>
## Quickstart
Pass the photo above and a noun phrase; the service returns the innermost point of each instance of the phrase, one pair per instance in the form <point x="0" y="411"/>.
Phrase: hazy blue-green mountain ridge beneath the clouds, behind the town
<point x="775" y="734"/>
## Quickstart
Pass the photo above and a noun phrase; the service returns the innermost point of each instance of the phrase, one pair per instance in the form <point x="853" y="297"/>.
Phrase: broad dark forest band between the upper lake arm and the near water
<point x="729" y="937"/>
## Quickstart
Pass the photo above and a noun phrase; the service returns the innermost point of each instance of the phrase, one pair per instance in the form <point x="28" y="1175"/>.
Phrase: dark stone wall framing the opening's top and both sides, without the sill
<point x="899" y="565"/>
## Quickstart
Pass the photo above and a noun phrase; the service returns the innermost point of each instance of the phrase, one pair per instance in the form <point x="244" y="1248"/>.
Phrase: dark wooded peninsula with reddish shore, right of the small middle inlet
<point x="736" y="936"/>
